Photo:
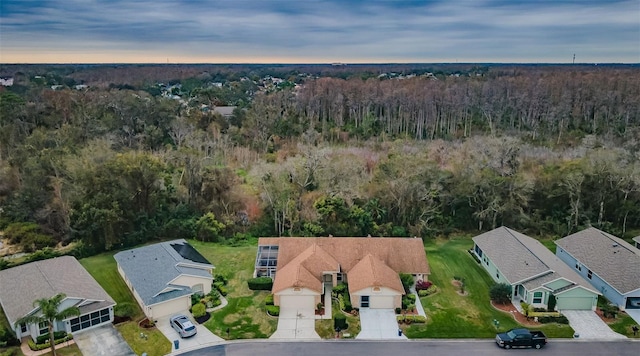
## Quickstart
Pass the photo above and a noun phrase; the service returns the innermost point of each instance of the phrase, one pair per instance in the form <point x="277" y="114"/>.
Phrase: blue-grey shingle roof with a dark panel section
<point x="153" y="268"/>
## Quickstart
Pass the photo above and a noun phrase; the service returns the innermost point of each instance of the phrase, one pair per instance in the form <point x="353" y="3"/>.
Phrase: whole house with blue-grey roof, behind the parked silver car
<point x="163" y="276"/>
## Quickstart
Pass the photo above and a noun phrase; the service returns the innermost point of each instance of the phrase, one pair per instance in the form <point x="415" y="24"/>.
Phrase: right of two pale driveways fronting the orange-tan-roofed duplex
<point x="379" y="324"/>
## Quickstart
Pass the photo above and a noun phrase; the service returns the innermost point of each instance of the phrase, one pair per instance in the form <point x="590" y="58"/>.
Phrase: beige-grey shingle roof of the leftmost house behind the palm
<point x="22" y="285"/>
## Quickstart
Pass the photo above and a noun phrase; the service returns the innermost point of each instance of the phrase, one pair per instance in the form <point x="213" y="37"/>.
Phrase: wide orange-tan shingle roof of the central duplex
<point x="303" y="260"/>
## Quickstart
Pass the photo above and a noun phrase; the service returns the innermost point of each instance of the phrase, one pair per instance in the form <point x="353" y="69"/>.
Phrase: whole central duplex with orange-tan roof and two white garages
<point x="304" y="269"/>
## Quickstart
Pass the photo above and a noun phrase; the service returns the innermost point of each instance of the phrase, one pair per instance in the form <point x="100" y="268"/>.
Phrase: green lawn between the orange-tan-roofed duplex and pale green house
<point x="450" y="315"/>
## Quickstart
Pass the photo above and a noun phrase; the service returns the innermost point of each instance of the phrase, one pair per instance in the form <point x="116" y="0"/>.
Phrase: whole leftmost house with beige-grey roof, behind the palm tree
<point x="20" y="286"/>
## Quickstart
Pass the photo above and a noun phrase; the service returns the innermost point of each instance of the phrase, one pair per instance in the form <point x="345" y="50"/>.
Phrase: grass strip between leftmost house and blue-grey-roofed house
<point x="103" y="268"/>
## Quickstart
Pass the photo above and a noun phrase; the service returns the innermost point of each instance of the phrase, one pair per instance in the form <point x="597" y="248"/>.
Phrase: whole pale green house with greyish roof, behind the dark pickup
<point x="537" y="277"/>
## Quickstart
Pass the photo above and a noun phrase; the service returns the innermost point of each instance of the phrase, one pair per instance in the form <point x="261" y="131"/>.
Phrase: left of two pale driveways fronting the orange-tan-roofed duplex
<point x="294" y="323"/>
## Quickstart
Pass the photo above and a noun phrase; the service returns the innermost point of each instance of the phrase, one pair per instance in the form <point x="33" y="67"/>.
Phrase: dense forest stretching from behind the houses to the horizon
<point x="403" y="150"/>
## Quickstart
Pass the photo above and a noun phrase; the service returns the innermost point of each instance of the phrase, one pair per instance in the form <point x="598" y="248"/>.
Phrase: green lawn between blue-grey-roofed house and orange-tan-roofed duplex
<point x="245" y="315"/>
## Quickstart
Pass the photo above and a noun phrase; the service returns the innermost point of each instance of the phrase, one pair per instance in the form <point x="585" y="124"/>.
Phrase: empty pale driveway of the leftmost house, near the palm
<point x="102" y="341"/>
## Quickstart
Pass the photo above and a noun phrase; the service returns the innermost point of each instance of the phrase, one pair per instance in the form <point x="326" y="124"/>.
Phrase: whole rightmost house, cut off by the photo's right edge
<point x="609" y="263"/>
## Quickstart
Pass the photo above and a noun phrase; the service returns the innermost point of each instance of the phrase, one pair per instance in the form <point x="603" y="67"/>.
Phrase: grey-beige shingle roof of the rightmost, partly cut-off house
<point x="611" y="258"/>
